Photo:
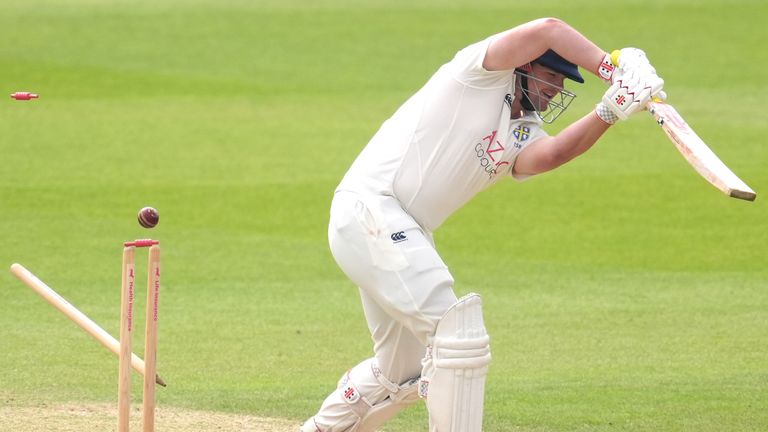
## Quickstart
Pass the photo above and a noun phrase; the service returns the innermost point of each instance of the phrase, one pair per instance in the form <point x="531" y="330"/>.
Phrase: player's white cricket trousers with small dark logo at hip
<point x="404" y="285"/>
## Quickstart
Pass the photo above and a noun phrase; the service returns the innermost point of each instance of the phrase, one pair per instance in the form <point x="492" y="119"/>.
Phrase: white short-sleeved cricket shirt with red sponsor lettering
<point x="448" y="142"/>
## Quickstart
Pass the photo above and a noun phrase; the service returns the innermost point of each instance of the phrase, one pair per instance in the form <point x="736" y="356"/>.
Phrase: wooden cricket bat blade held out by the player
<point x="697" y="153"/>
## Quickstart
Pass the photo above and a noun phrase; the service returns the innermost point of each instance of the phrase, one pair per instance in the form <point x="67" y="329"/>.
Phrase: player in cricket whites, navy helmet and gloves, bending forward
<point x="477" y="120"/>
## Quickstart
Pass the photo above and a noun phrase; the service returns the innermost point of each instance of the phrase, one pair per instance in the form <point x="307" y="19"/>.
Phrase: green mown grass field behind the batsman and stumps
<point x="622" y="291"/>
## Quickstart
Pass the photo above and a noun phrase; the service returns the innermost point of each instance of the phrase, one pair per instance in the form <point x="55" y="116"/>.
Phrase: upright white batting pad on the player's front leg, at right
<point x="453" y="378"/>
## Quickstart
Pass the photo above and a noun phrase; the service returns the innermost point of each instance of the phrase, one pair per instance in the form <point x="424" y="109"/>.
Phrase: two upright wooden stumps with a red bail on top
<point x="150" y="339"/>
